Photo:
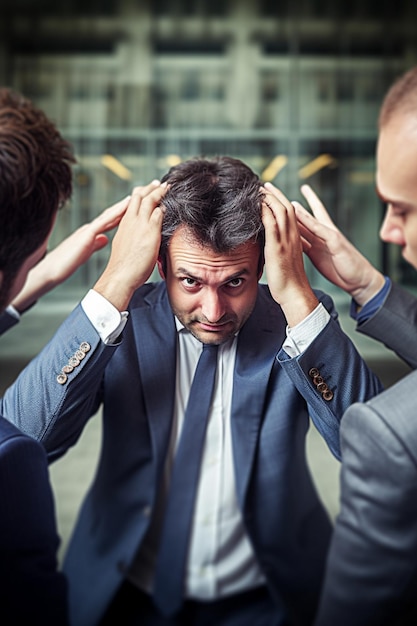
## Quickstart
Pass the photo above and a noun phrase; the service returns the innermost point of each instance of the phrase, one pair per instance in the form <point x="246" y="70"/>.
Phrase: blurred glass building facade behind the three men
<point x="292" y="88"/>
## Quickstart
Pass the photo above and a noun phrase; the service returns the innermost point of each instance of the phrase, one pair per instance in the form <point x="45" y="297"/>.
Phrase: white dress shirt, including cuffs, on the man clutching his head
<point x="221" y="559"/>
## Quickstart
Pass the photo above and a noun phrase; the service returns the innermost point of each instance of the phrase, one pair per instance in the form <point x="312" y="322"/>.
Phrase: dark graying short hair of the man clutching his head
<point x="219" y="200"/>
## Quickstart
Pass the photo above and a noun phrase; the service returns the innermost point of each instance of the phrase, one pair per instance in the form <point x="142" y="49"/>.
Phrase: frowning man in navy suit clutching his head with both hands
<point x="259" y="534"/>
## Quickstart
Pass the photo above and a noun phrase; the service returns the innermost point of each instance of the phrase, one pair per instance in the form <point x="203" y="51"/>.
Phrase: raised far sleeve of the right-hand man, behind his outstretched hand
<point x="395" y="324"/>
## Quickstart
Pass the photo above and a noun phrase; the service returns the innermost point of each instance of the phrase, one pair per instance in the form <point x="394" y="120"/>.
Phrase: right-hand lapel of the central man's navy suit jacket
<point x="259" y="341"/>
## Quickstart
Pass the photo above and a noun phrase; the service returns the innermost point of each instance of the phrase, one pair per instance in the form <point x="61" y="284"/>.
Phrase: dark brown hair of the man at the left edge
<point x="35" y="181"/>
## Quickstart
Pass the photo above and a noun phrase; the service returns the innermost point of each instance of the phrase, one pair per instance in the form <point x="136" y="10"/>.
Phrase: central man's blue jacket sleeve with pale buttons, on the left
<point x="51" y="401"/>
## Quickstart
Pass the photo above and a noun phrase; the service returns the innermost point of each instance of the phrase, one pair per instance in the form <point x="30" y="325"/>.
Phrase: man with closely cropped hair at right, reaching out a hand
<point x="372" y="568"/>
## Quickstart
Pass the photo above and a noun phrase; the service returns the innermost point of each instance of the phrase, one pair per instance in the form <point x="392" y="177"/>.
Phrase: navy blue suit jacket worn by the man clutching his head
<point x="273" y="399"/>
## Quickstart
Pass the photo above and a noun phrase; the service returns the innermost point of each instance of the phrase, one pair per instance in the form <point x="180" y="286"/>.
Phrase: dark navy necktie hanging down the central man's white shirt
<point x="169" y="580"/>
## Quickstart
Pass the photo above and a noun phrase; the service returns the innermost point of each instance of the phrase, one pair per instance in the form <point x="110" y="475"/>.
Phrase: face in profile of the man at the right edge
<point x="396" y="179"/>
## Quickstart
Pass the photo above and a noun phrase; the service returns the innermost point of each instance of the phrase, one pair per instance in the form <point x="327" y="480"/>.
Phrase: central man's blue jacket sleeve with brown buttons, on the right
<point x="331" y="375"/>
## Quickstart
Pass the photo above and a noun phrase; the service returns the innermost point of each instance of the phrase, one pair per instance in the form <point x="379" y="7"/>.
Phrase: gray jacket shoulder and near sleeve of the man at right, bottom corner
<point x="371" y="569"/>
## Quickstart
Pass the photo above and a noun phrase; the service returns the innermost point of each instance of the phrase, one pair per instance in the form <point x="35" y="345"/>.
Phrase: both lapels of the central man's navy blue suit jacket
<point x="258" y="343"/>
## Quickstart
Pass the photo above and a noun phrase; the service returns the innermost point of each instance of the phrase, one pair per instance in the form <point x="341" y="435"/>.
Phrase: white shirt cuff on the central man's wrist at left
<point x="106" y="319"/>
